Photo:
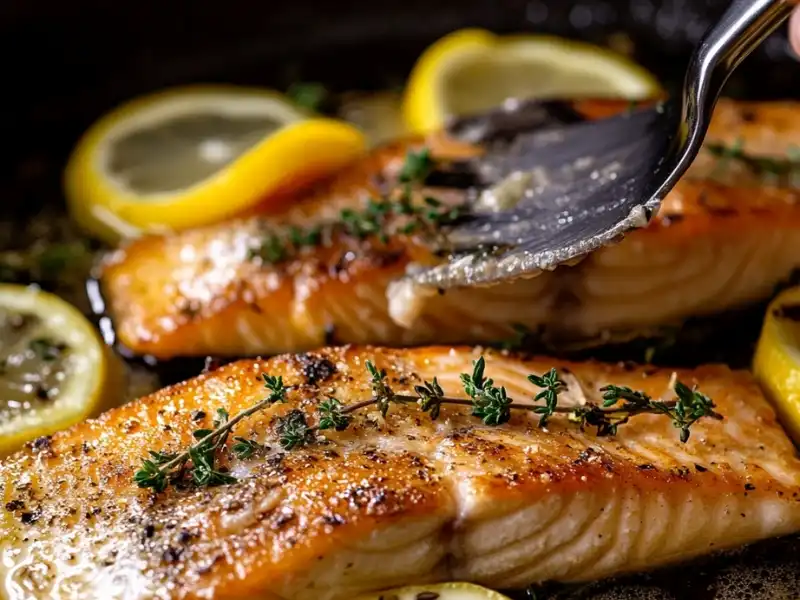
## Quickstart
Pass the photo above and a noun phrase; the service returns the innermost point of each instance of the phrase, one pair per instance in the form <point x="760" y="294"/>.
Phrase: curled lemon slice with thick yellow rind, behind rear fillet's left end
<point x="196" y="155"/>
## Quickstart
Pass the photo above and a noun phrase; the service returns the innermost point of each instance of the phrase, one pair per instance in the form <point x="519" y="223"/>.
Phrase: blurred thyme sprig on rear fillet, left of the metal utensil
<point x="395" y="213"/>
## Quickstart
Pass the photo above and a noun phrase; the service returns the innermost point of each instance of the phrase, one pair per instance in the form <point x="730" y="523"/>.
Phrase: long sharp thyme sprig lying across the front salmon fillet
<point x="489" y="402"/>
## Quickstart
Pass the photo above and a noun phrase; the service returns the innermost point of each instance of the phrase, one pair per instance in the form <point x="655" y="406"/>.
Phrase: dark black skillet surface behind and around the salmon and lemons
<point x="64" y="63"/>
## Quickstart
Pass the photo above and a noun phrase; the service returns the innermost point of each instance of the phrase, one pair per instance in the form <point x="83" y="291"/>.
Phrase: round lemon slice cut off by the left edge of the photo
<point x="53" y="367"/>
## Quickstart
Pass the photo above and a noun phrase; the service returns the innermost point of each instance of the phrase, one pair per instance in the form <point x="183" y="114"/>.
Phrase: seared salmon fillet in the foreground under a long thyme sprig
<point x="392" y="501"/>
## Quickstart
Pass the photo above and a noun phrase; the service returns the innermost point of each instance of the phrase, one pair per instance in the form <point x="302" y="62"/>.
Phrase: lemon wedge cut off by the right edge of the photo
<point x="777" y="359"/>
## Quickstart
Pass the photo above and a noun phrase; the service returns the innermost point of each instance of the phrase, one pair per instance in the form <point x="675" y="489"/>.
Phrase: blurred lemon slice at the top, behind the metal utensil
<point x="472" y="70"/>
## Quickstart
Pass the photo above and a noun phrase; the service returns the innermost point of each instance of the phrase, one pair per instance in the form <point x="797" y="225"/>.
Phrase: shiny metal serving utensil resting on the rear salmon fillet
<point x="576" y="187"/>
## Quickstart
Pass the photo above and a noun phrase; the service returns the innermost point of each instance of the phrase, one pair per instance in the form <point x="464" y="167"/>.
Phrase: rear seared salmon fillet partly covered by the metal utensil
<point x="714" y="246"/>
